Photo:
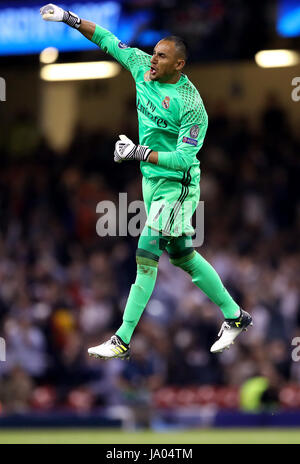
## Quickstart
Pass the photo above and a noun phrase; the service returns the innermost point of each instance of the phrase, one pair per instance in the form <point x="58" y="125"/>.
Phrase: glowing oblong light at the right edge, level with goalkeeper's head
<point x="277" y="58"/>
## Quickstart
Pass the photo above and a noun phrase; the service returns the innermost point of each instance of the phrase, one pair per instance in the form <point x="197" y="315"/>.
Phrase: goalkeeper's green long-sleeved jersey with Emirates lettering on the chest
<point x="172" y="118"/>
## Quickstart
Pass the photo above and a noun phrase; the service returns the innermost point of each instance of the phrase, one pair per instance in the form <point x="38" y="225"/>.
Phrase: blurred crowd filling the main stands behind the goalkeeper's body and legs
<point x="63" y="288"/>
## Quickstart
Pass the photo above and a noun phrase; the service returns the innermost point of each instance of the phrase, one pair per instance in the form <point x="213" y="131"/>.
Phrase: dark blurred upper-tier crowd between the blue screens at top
<point x="214" y="29"/>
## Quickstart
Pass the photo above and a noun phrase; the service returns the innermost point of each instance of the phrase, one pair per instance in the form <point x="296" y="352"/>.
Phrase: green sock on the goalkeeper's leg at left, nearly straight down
<point x="139" y="295"/>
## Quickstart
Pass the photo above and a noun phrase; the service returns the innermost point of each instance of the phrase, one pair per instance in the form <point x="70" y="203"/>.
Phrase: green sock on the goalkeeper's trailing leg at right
<point x="206" y="278"/>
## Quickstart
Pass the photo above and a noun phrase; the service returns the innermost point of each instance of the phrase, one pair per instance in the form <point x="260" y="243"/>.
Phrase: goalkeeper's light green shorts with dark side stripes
<point x="170" y="206"/>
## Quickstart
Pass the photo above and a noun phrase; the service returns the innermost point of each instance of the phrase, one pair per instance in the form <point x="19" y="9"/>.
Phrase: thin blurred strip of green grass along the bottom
<point x="113" y="436"/>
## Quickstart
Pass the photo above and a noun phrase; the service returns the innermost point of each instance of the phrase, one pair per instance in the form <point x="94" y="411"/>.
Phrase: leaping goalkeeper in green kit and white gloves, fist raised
<point x="172" y="127"/>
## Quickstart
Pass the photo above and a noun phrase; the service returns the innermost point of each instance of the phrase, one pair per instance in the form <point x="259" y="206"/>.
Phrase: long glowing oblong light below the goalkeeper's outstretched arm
<point x="79" y="71"/>
